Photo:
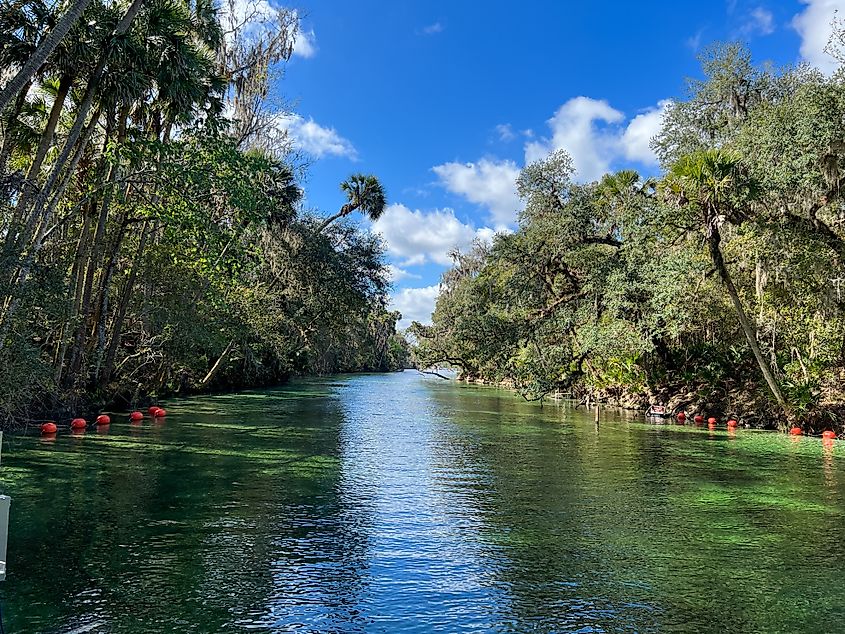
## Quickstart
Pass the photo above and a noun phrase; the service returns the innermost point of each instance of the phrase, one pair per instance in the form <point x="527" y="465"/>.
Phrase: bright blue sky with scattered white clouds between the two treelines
<point x="446" y="101"/>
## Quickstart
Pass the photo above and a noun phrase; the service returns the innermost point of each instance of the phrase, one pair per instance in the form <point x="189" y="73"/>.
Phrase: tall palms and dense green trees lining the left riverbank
<point x="152" y="237"/>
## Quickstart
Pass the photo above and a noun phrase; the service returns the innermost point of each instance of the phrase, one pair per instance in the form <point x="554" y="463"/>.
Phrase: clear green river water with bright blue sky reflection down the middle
<point x="404" y="503"/>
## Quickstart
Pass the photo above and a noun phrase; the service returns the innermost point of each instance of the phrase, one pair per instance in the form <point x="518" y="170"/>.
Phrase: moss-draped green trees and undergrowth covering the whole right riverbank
<point x="716" y="288"/>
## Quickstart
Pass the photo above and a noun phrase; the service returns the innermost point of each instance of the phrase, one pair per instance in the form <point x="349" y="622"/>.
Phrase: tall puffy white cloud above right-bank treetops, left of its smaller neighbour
<point x="574" y="129"/>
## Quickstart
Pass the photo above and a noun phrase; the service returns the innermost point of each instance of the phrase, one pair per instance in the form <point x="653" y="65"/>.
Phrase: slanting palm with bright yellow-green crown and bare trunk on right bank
<point x="714" y="184"/>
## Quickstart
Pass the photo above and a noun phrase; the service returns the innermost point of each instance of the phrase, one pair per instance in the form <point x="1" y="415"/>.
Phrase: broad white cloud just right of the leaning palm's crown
<point x="418" y="236"/>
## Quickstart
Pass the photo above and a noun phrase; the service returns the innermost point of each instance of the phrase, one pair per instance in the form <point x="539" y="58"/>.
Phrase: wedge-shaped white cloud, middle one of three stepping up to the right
<point x="489" y="183"/>
